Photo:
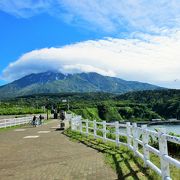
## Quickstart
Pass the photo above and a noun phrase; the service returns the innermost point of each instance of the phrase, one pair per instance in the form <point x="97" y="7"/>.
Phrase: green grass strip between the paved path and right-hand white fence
<point x="123" y="161"/>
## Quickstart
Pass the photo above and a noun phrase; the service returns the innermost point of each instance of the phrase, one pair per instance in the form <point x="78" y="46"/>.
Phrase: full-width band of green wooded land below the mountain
<point x="134" y="106"/>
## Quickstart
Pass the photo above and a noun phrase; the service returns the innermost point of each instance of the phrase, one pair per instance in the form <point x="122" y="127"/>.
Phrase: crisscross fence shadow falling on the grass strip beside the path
<point x="131" y="172"/>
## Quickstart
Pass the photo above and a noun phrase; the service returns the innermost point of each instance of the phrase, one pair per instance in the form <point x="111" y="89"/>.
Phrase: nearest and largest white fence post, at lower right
<point x="163" y="151"/>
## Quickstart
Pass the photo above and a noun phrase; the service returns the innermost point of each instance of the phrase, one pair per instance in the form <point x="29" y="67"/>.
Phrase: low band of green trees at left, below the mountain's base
<point x="39" y="102"/>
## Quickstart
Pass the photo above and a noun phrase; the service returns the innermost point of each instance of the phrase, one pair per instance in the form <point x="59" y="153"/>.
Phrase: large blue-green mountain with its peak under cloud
<point x="55" y="82"/>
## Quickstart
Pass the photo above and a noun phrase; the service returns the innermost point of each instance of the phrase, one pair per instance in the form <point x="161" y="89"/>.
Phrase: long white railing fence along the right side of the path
<point x="135" y="136"/>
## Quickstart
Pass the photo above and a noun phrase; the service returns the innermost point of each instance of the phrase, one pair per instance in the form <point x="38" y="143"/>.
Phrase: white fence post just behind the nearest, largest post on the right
<point x="145" y="140"/>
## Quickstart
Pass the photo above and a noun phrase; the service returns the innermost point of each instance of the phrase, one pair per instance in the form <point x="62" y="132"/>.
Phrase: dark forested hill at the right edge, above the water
<point x="166" y="102"/>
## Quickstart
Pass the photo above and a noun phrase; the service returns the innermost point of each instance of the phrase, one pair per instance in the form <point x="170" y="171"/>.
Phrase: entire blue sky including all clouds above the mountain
<point x="133" y="39"/>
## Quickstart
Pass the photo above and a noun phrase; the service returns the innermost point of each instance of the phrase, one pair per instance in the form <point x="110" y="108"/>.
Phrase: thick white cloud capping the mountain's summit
<point x="153" y="59"/>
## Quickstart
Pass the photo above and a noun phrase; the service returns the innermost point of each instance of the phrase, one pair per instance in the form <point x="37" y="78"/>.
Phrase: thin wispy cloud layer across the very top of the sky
<point x="108" y="15"/>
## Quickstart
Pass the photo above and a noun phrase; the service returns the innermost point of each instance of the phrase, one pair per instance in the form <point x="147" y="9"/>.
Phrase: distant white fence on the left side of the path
<point x="14" y="121"/>
